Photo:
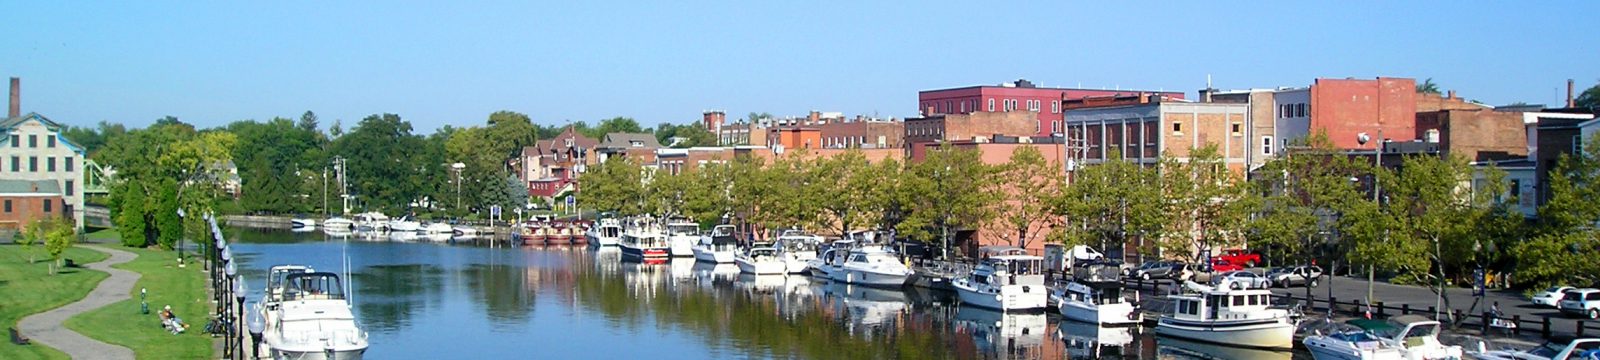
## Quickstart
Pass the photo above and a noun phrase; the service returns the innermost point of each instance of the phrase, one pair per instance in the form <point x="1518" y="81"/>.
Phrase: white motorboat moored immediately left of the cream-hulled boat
<point x="1095" y="297"/>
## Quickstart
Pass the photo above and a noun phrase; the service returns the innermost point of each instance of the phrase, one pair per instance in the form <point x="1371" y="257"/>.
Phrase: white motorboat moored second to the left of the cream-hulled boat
<point x="1012" y="281"/>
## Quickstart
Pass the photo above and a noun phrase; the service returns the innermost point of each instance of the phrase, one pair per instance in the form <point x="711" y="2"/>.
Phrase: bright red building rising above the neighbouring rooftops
<point x="1020" y="95"/>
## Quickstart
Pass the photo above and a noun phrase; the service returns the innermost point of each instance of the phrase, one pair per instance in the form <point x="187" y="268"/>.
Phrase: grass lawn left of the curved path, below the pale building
<point x="30" y="289"/>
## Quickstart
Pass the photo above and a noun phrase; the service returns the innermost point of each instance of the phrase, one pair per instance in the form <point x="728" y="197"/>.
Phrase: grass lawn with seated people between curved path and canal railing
<point x="183" y="289"/>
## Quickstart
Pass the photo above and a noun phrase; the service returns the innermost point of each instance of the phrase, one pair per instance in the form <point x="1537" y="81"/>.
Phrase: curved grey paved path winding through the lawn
<point x="46" y="327"/>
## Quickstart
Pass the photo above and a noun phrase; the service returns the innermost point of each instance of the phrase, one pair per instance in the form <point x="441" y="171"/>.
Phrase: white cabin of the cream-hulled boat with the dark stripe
<point x="1223" y="303"/>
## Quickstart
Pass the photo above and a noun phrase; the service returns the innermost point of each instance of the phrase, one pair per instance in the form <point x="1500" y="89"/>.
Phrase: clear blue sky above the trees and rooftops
<point x="438" y="63"/>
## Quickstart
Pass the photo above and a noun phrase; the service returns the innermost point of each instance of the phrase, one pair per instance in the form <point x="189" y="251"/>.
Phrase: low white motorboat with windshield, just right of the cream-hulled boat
<point x="1417" y="338"/>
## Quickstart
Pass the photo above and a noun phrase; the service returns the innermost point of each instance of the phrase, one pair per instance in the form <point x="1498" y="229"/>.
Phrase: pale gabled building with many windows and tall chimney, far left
<point x="33" y="150"/>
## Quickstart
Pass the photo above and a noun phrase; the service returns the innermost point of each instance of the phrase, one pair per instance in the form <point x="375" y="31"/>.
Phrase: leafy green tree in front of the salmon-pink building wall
<point x="1030" y="186"/>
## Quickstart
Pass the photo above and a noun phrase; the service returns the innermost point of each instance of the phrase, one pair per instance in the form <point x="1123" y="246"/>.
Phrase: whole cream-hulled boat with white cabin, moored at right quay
<point x="1231" y="314"/>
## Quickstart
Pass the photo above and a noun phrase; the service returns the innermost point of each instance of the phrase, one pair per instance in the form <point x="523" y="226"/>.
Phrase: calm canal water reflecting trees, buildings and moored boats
<point x="470" y="300"/>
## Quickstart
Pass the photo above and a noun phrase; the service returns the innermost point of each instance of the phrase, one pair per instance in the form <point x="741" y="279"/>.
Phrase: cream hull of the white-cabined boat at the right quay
<point x="1260" y="335"/>
